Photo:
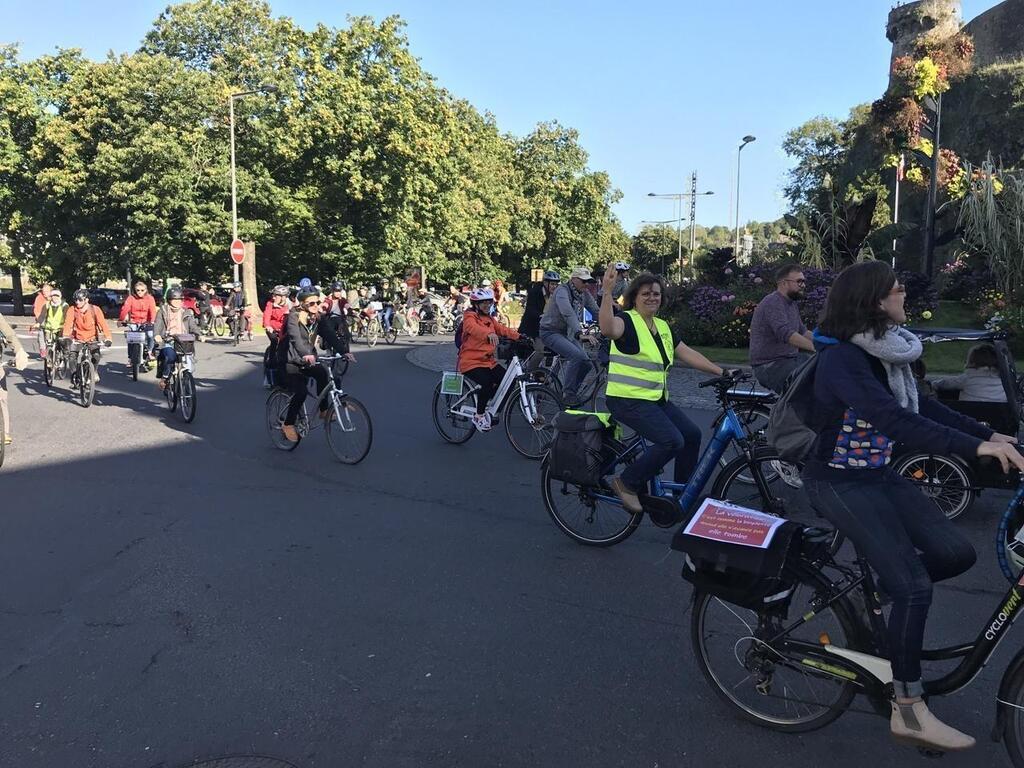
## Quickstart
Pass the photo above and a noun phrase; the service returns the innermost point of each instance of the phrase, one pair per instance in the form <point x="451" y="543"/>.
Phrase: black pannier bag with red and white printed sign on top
<point x="739" y="556"/>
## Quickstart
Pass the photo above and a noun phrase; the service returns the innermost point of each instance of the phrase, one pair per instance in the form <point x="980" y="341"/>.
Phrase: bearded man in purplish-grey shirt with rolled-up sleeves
<point x="778" y="334"/>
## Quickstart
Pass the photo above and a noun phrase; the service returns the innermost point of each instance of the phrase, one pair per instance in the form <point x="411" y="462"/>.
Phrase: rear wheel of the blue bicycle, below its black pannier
<point x="590" y="516"/>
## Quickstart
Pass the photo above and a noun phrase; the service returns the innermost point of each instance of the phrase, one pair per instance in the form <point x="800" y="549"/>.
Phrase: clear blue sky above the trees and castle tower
<point x="657" y="89"/>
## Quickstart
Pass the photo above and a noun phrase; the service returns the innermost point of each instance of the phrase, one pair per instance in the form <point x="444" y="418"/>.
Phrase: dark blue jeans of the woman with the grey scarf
<point x="909" y="543"/>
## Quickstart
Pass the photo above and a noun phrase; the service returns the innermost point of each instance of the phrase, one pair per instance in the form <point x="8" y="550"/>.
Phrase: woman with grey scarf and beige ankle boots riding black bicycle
<point x="866" y="393"/>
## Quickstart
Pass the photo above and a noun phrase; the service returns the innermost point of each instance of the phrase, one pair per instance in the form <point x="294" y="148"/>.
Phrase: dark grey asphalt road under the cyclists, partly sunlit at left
<point x="178" y="592"/>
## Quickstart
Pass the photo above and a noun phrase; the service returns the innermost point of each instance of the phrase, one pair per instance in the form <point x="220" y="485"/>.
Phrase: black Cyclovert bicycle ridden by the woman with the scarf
<point x="796" y="662"/>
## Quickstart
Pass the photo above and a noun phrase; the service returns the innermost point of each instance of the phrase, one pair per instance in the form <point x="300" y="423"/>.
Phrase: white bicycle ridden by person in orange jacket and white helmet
<point x="528" y="408"/>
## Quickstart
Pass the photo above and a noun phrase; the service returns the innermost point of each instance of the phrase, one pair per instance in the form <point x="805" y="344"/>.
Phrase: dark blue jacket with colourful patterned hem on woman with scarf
<point x="852" y="395"/>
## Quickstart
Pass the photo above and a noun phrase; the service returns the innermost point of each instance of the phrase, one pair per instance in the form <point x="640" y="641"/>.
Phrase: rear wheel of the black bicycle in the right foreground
<point x="776" y="687"/>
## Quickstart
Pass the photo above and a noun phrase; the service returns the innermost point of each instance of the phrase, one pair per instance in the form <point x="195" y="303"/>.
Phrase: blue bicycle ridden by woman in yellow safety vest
<point x="594" y="516"/>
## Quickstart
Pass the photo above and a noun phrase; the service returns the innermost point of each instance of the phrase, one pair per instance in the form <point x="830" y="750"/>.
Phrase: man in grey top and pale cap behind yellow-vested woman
<point x="561" y="326"/>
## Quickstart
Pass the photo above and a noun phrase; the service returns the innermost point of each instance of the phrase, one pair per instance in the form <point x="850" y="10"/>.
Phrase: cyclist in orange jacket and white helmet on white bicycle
<point x="478" y="360"/>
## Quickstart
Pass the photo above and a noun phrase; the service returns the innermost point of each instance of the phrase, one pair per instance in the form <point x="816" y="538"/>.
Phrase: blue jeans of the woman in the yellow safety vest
<point x="669" y="433"/>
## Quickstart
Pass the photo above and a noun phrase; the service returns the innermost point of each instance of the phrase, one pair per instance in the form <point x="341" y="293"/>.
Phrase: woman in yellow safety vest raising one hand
<point x="643" y="352"/>
